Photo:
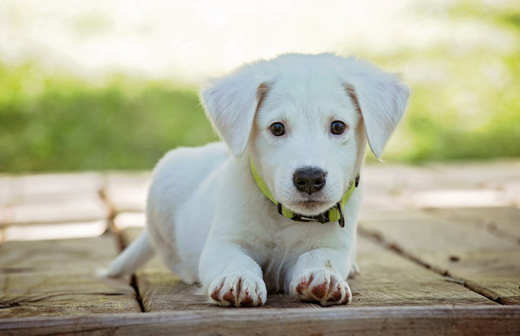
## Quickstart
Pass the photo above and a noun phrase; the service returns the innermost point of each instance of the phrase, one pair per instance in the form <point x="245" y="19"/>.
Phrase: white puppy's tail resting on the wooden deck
<point x="132" y="258"/>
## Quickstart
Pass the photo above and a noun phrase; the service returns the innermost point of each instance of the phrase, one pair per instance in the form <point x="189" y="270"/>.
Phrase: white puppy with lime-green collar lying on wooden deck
<point x="238" y="222"/>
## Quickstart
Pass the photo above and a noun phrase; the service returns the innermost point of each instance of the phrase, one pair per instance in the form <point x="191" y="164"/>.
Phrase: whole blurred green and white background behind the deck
<point x="96" y="85"/>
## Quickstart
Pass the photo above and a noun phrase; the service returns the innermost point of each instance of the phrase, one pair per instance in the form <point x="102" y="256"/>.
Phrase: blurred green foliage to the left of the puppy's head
<point x="62" y="123"/>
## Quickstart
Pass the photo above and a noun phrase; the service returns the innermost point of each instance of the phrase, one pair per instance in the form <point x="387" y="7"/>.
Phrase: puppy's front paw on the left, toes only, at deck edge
<point x="239" y="290"/>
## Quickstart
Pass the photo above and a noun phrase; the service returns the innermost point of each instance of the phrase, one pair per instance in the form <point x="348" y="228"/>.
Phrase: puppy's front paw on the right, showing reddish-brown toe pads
<point x="321" y="286"/>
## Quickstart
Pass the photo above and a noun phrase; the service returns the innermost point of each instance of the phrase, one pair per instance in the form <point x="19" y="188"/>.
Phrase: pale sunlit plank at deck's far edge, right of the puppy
<point x="442" y="185"/>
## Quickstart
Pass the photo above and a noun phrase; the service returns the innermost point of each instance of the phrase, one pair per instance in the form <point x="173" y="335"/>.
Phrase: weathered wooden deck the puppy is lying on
<point x="439" y="251"/>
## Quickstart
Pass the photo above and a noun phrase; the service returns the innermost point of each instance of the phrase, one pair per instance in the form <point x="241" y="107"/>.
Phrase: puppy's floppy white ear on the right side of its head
<point x="381" y="99"/>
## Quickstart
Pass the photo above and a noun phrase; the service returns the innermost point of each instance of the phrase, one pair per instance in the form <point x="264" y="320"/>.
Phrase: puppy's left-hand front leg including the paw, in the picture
<point x="232" y="277"/>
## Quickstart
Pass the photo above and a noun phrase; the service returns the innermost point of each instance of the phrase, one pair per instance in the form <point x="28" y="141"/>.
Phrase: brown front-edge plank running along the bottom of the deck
<point x="474" y="321"/>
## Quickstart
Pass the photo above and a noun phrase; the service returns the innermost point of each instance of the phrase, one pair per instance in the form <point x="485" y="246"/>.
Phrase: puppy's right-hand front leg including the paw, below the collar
<point x="319" y="275"/>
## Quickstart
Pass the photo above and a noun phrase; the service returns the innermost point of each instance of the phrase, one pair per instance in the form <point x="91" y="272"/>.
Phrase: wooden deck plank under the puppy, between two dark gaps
<point x="386" y="280"/>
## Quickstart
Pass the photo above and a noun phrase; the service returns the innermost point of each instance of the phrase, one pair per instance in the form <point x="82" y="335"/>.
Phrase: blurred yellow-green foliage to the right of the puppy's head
<point x="467" y="106"/>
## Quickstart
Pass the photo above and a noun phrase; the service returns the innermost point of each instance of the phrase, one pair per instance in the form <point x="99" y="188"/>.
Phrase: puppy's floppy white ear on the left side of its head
<point x="231" y="104"/>
